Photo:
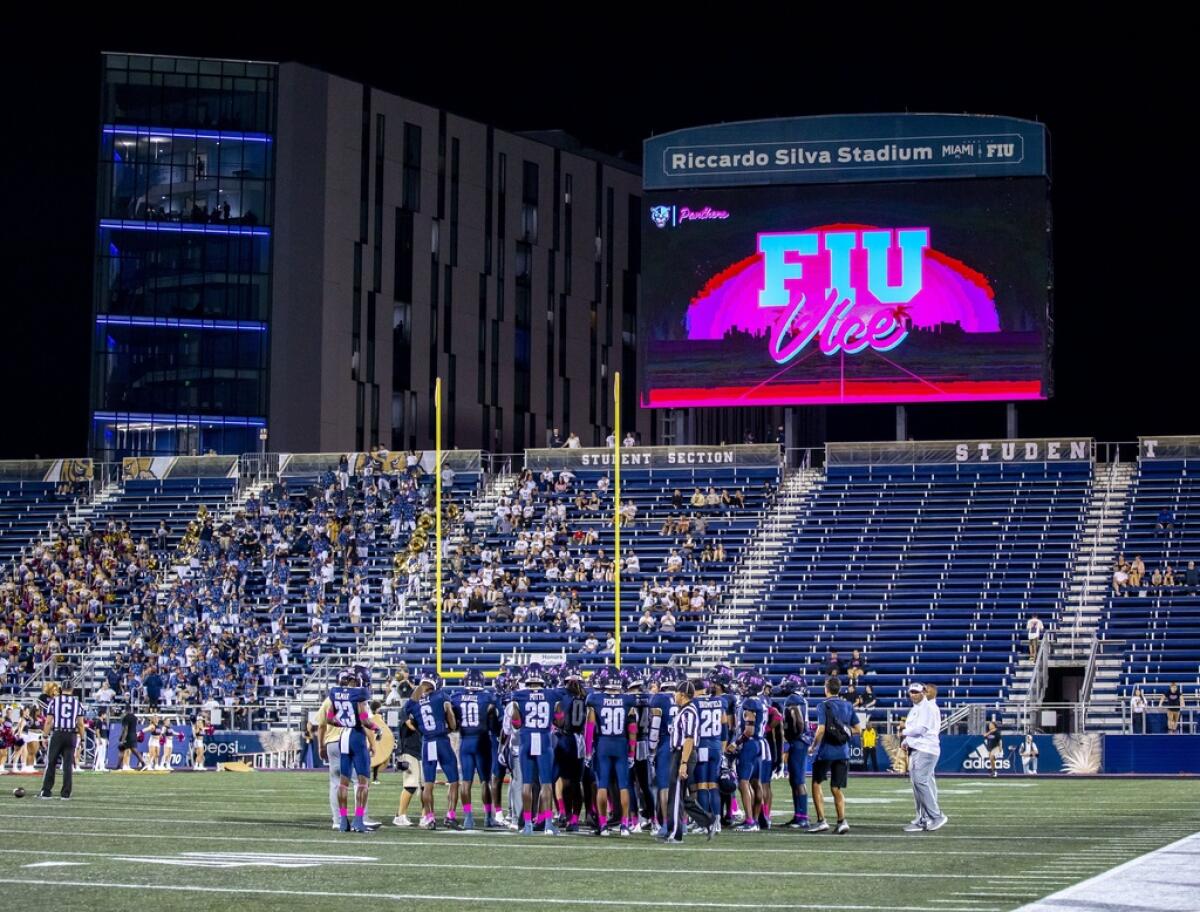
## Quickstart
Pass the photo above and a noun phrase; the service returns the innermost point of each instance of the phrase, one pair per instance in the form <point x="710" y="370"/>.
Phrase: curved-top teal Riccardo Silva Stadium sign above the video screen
<point x="845" y="148"/>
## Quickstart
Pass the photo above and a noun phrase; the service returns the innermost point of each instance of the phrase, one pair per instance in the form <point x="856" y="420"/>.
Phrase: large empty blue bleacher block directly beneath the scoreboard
<point x="931" y="569"/>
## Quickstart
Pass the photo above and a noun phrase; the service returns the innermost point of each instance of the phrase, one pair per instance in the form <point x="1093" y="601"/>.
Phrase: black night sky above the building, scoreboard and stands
<point x="1117" y="113"/>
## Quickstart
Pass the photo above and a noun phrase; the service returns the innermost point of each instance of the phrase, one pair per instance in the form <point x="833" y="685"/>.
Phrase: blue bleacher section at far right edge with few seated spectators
<point x="1150" y="634"/>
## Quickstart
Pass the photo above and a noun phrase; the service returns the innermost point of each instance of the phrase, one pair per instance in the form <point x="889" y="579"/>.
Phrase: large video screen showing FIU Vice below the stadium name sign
<point x="847" y="295"/>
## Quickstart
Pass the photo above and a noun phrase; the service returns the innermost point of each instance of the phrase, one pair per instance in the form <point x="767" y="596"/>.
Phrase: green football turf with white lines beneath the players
<point x="1009" y="842"/>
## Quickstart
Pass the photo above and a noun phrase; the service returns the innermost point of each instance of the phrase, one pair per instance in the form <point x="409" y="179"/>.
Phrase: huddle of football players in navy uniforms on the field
<point x="616" y="755"/>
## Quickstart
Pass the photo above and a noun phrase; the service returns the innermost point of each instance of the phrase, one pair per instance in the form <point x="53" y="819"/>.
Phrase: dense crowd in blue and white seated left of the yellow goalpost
<point x="236" y="628"/>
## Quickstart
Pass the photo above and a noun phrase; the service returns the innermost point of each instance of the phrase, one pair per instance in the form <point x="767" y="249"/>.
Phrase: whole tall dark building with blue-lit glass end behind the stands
<point x="279" y="248"/>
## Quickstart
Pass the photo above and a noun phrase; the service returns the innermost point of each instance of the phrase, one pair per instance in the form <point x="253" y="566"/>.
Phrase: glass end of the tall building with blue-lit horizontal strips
<point x="183" y="284"/>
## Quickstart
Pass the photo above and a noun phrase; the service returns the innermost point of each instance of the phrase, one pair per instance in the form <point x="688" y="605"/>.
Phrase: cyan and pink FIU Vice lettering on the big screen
<point x="819" y="275"/>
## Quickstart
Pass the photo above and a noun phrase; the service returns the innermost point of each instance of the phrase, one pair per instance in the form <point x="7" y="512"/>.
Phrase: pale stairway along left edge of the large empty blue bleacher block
<point x="760" y="565"/>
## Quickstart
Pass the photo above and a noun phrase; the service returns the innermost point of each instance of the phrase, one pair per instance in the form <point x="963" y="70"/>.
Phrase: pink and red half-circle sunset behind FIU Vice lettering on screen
<point x="946" y="293"/>
